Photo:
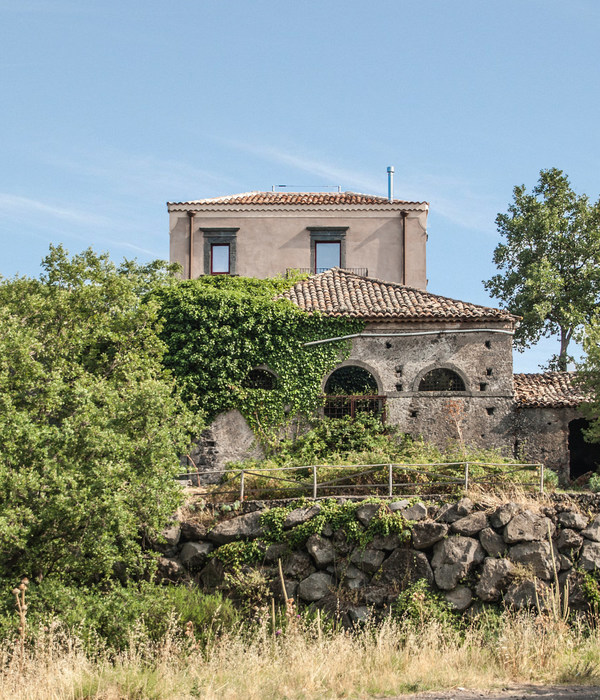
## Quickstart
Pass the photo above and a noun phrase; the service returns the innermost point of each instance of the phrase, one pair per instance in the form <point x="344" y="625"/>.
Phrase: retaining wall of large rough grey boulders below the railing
<point x="471" y="554"/>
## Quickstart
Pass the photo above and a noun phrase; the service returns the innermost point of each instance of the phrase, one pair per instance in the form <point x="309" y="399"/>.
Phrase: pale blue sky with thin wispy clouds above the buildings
<point x="110" y="109"/>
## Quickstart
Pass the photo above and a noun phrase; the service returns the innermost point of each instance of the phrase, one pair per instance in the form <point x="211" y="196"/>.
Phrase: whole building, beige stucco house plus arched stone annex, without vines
<point x="434" y="366"/>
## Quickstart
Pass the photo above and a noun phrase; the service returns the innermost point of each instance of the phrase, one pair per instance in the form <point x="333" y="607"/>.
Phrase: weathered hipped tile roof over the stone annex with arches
<point x="341" y="293"/>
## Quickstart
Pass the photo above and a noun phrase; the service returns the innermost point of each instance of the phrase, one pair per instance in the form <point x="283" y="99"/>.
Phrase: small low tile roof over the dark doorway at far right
<point x="547" y="390"/>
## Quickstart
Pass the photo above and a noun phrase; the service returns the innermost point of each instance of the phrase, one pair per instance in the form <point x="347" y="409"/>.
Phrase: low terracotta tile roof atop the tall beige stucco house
<point x="297" y="198"/>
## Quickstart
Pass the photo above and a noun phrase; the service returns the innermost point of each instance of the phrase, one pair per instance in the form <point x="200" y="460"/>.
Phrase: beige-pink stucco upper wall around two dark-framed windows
<point x="270" y="240"/>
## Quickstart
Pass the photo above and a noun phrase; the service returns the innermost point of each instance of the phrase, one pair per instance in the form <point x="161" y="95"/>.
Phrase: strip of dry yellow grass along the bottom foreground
<point x="309" y="663"/>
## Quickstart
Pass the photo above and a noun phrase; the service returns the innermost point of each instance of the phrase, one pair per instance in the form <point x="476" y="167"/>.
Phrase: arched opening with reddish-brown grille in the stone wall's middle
<point x="350" y="390"/>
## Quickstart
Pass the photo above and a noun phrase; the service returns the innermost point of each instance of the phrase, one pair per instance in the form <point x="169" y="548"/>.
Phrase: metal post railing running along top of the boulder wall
<point x="383" y="479"/>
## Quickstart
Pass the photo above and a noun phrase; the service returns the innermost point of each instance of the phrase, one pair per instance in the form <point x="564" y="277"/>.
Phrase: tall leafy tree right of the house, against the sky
<point x="549" y="262"/>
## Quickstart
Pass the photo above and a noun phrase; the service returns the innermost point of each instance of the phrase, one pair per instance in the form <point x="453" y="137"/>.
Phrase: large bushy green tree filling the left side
<point x="91" y="426"/>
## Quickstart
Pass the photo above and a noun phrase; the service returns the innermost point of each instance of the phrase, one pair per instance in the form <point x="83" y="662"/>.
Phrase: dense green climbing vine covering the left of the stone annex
<point x="217" y="329"/>
